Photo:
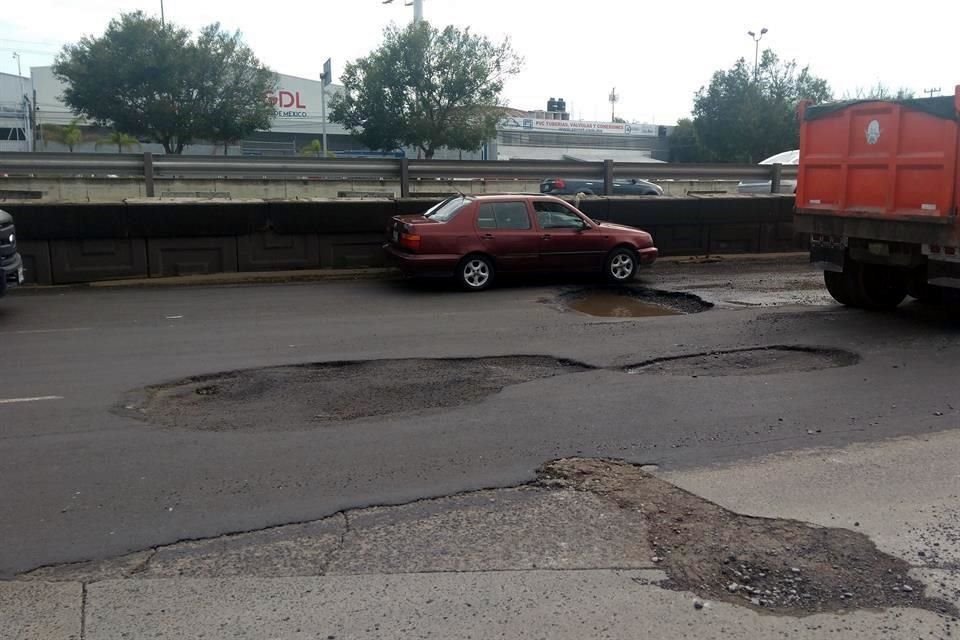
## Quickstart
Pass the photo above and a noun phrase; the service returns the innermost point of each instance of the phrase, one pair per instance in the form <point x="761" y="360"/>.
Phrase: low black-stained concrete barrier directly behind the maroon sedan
<point x="82" y="242"/>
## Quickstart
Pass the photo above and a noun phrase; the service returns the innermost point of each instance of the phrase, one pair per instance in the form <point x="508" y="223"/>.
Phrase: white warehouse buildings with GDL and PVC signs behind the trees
<point x="297" y="120"/>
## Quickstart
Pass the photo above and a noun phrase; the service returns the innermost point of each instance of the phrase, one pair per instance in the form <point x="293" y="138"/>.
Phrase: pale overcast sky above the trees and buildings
<point x="656" y="54"/>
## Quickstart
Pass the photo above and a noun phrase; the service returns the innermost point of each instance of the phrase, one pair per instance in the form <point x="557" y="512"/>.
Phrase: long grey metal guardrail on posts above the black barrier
<point x="151" y="167"/>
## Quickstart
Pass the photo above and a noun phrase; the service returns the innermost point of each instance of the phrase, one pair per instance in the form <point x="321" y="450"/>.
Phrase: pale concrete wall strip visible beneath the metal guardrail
<point x="101" y="189"/>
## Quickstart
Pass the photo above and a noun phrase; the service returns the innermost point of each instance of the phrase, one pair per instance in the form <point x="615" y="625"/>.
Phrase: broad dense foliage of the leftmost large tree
<point x="154" y="81"/>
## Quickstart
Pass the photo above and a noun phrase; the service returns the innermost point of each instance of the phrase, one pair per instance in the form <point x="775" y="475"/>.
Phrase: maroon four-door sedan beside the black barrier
<point x="474" y="237"/>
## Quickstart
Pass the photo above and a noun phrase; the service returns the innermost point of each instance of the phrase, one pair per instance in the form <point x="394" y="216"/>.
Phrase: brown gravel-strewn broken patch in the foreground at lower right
<point x="771" y="564"/>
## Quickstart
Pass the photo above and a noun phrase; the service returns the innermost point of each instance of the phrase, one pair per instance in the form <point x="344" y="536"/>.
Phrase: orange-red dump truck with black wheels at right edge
<point x="878" y="191"/>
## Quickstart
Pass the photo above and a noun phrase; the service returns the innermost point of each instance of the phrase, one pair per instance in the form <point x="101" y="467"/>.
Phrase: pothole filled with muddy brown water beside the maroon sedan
<point x="632" y="302"/>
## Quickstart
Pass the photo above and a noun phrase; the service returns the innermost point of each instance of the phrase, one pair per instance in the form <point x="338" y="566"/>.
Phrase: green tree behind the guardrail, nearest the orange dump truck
<point x="740" y="117"/>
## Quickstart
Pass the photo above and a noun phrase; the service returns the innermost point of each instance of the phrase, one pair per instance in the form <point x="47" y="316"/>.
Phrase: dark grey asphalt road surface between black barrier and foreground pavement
<point x="83" y="481"/>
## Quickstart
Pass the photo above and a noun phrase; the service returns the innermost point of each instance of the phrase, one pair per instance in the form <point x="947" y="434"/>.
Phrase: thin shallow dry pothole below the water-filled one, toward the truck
<point x="752" y="361"/>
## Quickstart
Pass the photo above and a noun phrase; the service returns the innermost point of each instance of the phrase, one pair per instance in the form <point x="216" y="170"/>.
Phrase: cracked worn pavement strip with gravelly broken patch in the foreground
<point x="579" y="514"/>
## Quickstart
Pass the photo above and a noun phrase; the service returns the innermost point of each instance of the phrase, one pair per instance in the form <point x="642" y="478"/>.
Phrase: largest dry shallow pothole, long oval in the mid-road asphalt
<point x="304" y="396"/>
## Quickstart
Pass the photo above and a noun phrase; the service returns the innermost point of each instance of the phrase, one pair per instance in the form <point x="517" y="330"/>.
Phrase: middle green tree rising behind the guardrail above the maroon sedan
<point x="426" y="88"/>
